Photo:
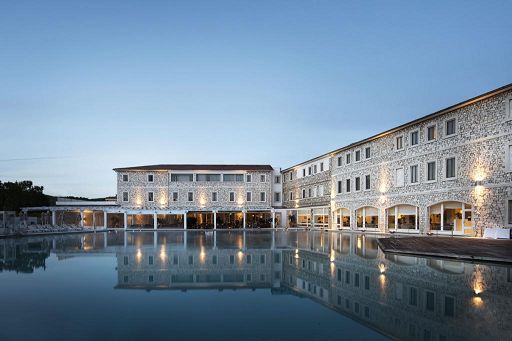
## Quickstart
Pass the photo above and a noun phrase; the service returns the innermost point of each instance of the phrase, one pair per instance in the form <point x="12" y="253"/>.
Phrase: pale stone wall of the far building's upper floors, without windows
<point x="138" y="188"/>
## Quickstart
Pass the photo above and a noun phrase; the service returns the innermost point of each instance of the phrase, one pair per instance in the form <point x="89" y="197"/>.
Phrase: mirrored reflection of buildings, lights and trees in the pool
<point x="402" y="297"/>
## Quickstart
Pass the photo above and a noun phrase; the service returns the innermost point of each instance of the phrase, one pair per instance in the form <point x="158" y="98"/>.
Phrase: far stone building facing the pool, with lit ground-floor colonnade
<point x="199" y="196"/>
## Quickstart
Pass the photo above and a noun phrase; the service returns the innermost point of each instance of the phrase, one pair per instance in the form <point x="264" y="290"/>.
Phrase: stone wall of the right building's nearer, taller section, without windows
<point x="480" y="146"/>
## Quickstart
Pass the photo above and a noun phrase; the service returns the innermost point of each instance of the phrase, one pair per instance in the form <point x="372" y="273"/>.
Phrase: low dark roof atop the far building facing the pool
<point x="183" y="167"/>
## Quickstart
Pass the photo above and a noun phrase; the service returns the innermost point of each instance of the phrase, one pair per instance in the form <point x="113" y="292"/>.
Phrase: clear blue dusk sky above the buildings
<point x="86" y="86"/>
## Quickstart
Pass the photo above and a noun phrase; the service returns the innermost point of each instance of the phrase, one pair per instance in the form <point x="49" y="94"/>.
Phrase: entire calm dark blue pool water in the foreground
<point x="235" y="285"/>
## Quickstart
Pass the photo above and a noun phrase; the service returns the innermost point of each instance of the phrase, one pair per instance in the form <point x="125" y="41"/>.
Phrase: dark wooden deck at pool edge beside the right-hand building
<point x="473" y="249"/>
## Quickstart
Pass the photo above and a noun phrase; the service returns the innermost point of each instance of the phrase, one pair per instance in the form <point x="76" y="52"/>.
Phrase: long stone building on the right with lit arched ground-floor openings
<point x="448" y="172"/>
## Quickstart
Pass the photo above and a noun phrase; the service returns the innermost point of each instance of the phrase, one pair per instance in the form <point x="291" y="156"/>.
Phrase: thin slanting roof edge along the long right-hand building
<point x="405" y="125"/>
